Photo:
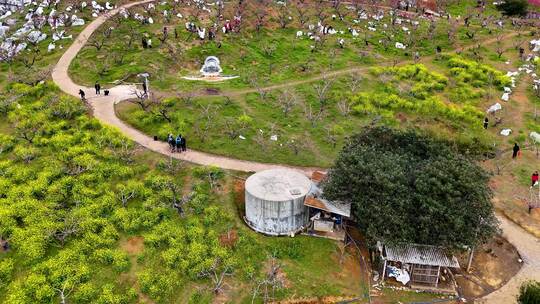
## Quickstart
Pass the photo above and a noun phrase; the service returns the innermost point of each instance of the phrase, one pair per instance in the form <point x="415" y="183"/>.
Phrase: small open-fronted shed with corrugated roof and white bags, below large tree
<point x="415" y="265"/>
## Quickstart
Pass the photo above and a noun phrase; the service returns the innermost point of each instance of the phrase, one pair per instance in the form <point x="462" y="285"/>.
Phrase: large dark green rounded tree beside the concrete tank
<point x="408" y="187"/>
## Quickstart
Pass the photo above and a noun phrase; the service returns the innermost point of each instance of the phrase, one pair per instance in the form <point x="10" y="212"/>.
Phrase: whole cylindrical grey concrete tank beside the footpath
<point x="275" y="201"/>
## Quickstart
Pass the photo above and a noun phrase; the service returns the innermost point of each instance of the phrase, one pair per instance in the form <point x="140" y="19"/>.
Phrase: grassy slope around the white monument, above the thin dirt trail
<point x="273" y="55"/>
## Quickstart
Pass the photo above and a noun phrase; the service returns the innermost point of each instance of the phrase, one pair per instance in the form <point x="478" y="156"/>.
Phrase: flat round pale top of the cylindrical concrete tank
<point x="278" y="185"/>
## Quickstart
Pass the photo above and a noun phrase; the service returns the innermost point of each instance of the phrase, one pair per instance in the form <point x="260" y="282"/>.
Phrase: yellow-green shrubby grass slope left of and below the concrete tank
<point x="305" y="260"/>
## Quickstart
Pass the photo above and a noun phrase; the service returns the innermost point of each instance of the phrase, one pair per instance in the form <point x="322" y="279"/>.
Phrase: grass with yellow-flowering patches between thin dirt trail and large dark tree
<point x="454" y="115"/>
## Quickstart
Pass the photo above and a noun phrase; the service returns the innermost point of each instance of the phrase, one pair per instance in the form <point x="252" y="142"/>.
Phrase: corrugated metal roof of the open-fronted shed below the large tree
<point x="420" y="254"/>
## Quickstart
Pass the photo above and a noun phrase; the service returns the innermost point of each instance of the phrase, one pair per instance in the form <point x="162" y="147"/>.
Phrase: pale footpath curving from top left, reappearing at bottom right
<point x="103" y="109"/>
